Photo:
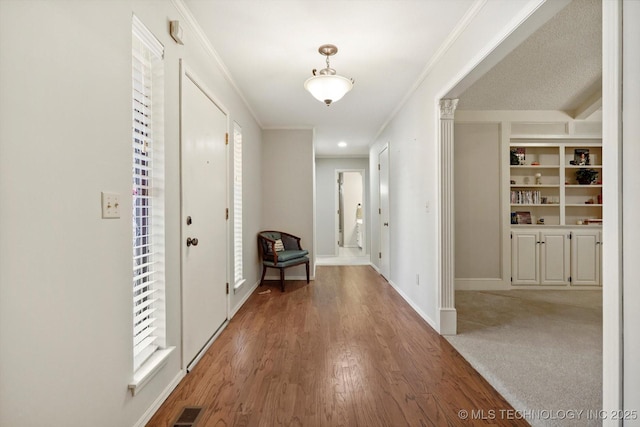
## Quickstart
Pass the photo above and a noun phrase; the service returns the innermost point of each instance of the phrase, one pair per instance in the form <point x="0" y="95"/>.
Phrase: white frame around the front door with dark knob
<point x="187" y="73"/>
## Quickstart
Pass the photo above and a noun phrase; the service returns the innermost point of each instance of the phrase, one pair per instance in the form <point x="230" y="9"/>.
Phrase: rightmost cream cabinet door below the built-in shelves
<point x="585" y="257"/>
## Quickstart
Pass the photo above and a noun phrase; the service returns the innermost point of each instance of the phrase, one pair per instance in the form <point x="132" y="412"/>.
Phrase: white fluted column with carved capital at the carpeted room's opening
<point x="446" y="308"/>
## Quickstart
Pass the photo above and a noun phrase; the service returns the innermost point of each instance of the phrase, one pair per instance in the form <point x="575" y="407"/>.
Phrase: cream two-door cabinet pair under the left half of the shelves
<point x="540" y="257"/>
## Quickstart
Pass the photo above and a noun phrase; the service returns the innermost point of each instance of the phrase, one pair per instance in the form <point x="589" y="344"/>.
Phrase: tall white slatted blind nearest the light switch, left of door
<point x="147" y="279"/>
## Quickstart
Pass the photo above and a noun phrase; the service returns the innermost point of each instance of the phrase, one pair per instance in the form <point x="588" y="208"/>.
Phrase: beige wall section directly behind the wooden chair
<point x="288" y="189"/>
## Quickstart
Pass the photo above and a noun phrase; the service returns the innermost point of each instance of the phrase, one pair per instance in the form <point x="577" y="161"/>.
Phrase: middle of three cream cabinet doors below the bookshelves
<point x="554" y="257"/>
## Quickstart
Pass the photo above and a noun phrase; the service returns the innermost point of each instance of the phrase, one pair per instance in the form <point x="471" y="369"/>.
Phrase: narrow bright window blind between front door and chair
<point x="237" y="203"/>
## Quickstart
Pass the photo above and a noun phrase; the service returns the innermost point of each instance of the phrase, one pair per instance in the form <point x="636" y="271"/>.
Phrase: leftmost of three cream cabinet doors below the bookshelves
<point x="525" y="258"/>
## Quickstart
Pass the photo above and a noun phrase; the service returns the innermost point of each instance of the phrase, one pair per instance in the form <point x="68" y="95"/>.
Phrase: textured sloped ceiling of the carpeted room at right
<point x="558" y="67"/>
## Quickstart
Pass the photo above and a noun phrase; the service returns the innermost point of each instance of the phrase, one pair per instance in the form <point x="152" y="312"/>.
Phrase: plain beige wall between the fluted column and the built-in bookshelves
<point x="478" y="208"/>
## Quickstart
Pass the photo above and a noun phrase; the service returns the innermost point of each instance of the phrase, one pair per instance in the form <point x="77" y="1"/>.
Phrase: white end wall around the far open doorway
<point x="325" y="200"/>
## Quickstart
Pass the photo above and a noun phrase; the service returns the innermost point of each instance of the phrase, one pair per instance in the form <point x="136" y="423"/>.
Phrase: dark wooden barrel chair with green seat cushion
<point x="280" y="250"/>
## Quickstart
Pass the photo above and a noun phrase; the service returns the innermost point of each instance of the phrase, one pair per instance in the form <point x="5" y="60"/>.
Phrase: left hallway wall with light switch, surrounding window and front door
<point x="65" y="273"/>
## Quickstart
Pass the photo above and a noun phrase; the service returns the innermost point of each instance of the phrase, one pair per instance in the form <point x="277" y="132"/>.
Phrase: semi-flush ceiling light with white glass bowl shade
<point x="326" y="86"/>
